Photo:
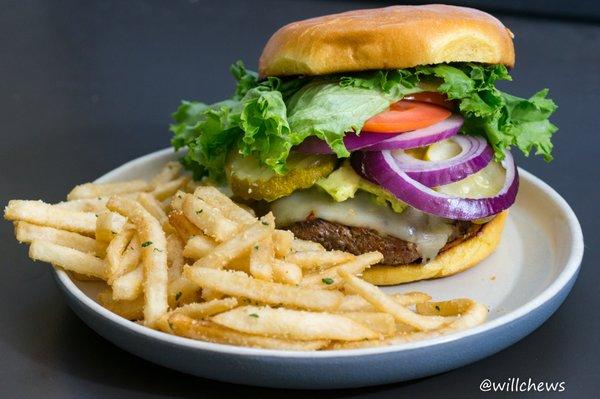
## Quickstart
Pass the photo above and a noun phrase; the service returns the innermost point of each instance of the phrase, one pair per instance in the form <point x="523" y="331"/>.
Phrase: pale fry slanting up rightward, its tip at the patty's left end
<point x="225" y="252"/>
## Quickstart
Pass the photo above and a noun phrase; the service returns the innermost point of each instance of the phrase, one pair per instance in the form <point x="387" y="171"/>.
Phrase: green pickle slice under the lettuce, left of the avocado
<point x="250" y="180"/>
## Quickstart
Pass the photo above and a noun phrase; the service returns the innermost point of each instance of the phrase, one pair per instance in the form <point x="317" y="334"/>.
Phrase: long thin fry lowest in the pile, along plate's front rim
<point x="207" y="331"/>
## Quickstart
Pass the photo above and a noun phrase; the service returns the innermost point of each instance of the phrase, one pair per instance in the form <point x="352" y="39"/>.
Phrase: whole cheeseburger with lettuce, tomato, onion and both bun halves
<point x="377" y="130"/>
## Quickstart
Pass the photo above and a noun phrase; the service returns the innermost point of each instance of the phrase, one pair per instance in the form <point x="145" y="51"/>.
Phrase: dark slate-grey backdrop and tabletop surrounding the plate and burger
<point x="87" y="86"/>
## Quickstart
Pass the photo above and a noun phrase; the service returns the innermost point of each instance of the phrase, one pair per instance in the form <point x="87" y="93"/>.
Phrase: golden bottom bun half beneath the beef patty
<point x="454" y="260"/>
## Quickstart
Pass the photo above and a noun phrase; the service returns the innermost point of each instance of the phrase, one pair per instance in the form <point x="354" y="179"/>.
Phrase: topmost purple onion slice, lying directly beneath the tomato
<point x="380" y="141"/>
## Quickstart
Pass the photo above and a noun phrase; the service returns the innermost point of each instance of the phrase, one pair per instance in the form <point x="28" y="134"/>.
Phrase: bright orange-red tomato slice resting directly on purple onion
<point x="405" y="116"/>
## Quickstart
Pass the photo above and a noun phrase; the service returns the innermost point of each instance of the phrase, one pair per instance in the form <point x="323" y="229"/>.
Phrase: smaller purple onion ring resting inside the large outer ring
<point x="475" y="155"/>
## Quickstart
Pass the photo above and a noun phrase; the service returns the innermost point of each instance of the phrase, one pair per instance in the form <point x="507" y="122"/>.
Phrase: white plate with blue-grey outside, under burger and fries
<point x="523" y="283"/>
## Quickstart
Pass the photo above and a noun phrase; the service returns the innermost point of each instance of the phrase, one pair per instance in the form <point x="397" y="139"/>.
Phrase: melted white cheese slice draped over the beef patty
<point x="428" y="232"/>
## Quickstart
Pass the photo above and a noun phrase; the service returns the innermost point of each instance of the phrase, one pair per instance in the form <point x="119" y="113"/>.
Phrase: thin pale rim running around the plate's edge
<point x="570" y="271"/>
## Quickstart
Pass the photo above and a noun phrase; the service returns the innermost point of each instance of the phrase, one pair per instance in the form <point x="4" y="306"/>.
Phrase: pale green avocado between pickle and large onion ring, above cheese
<point x="344" y="182"/>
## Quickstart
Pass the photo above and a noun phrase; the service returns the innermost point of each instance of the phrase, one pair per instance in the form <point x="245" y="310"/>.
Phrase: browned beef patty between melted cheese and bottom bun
<point x="359" y="240"/>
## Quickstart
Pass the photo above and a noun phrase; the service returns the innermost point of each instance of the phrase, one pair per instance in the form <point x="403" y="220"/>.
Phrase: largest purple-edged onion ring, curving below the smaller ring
<point x="381" y="168"/>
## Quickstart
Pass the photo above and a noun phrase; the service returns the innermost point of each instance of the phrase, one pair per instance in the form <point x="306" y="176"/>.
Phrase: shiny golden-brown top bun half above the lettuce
<point x="387" y="38"/>
